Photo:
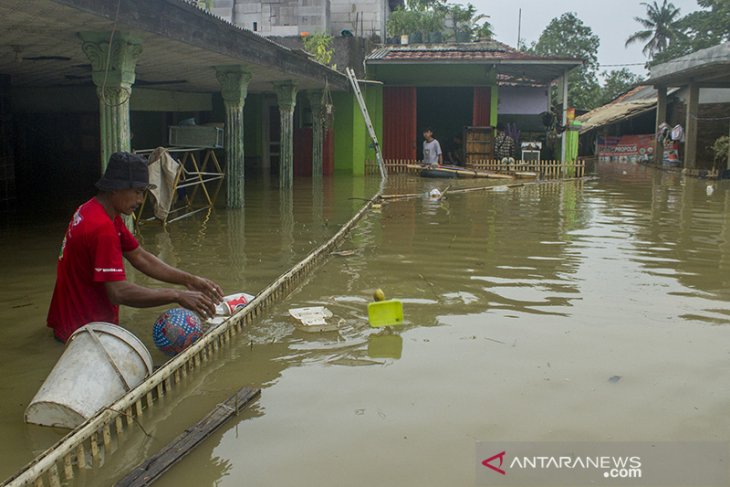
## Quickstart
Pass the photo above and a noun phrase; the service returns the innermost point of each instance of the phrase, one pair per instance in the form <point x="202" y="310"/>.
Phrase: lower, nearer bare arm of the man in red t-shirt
<point x="128" y="294"/>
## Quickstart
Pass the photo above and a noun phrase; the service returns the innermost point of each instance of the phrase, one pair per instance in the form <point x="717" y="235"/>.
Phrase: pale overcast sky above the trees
<point x="612" y="20"/>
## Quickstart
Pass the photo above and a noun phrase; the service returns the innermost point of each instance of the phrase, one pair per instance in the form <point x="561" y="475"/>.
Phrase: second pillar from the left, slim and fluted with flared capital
<point x="234" y="87"/>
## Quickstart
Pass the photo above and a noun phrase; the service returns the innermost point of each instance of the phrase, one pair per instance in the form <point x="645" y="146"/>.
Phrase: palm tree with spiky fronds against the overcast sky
<point x="661" y="28"/>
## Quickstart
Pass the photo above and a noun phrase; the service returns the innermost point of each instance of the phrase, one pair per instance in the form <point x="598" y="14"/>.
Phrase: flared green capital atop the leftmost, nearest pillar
<point x="112" y="65"/>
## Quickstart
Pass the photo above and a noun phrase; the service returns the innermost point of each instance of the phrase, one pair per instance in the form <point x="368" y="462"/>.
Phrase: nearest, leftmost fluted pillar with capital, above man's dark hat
<point x="112" y="71"/>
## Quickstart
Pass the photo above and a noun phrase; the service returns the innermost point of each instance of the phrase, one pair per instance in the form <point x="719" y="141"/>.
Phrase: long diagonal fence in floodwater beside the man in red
<point x="87" y="444"/>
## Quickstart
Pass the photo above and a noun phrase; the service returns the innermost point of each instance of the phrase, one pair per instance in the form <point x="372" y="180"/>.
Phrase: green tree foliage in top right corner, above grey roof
<point x="701" y="29"/>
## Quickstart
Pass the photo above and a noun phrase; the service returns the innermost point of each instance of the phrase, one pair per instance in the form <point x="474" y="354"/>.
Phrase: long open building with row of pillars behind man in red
<point x="70" y="98"/>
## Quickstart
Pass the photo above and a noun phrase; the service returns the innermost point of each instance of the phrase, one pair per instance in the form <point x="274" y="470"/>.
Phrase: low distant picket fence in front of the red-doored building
<point x="548" y="169"/>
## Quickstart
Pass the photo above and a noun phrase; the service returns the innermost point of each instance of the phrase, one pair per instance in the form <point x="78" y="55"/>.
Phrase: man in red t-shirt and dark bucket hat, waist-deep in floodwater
<point x="91" y="282"/>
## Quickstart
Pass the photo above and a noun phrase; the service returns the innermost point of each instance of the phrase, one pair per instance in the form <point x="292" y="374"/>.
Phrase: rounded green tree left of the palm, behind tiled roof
<point x="568" y="36"/>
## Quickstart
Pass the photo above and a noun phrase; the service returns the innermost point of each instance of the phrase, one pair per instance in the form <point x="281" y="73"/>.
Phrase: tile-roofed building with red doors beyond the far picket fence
<point x="450" y="86"/>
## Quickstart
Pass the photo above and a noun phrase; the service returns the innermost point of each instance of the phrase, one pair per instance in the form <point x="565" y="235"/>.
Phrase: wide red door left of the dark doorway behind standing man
<point x="399" y="123"/>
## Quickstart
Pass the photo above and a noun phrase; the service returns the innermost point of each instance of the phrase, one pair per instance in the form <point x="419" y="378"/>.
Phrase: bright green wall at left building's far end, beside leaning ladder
<point x="350" y="135"/>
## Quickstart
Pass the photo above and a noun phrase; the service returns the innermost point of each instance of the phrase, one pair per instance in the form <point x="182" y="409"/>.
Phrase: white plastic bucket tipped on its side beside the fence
<point x="101" y="363"/>
